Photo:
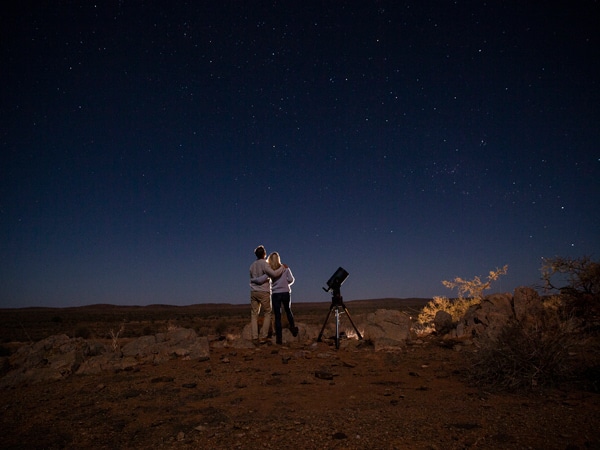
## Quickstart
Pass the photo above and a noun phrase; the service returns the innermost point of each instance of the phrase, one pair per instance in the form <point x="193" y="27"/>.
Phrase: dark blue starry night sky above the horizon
<point x="148" y="147"/>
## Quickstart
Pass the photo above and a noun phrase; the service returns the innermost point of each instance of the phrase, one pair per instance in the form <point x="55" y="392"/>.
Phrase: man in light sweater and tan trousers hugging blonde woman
<point x="260" y="294"/>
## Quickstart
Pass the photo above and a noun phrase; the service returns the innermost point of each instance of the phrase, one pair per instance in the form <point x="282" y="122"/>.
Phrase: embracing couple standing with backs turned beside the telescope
<point x="270" y="280"/>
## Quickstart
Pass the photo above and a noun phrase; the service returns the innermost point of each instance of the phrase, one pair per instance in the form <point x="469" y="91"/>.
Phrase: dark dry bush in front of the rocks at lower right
<point x="527" y="355"/>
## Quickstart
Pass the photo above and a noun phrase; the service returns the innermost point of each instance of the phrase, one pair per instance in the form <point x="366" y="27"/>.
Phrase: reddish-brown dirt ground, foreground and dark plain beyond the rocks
<point x="305" y="395"/>
